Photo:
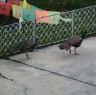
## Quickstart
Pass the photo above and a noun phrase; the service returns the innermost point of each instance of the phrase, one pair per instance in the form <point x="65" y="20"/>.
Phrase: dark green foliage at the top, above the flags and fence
<point x="61" y="5"/>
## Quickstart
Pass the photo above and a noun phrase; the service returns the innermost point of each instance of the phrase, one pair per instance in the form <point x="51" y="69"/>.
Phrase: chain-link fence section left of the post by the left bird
<point x="11" y="35"/>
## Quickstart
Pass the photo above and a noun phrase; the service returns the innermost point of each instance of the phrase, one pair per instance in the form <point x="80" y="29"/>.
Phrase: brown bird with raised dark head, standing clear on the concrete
<point x="74" y="41"/>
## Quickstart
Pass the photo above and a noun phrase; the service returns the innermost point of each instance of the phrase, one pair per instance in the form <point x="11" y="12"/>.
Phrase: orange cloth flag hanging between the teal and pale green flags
<point x="41" y="16"/>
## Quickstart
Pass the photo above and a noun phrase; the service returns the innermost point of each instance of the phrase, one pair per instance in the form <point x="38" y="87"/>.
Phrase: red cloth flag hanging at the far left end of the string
<point x="5" y="8"/>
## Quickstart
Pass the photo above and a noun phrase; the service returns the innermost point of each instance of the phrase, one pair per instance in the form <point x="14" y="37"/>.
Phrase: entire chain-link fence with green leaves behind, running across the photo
<point x="82" y="19"/>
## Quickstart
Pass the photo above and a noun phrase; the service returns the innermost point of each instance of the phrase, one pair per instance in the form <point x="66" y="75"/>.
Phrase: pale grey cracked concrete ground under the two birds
<point x="51" y="71"/>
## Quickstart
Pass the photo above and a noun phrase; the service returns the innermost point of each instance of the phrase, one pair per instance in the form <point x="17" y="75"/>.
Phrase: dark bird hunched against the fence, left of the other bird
<point x="24" y="46"/>
